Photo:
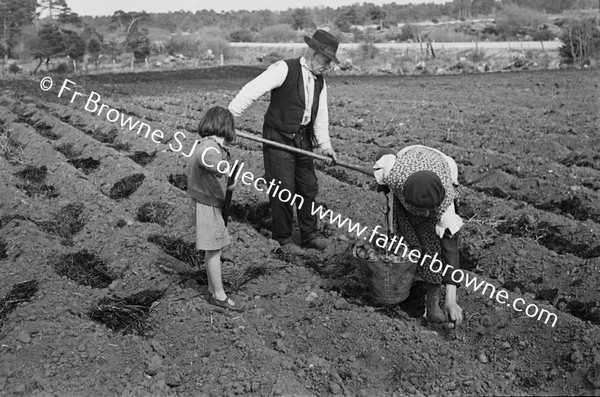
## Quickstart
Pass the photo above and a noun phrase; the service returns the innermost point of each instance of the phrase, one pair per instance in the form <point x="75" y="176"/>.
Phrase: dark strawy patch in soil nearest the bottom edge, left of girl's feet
<point x="129" y="314"/>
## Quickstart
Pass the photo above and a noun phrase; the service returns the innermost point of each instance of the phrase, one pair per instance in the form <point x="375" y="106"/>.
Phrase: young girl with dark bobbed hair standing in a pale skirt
<point x="207" y="188"/>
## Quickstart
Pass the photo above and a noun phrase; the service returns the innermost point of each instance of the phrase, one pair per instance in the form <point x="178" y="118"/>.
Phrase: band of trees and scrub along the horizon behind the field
<point x="48" y="28"/>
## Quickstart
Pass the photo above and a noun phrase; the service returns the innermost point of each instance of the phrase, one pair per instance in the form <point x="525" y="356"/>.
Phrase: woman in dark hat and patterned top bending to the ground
<point x="424" y="182"/>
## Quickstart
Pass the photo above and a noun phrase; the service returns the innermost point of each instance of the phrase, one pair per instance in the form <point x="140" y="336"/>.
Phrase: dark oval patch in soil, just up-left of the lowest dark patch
<point x="84" y="268"/>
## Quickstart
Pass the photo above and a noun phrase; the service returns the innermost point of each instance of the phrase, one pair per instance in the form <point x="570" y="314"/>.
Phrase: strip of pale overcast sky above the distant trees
<point x="108" y="7"/>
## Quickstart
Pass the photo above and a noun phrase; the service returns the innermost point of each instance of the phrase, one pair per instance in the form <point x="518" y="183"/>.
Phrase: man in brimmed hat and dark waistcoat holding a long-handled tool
<point x="297" y="116"/>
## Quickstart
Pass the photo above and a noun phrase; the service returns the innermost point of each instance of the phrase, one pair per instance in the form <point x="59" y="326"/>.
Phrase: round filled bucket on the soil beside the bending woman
<point x="388" y="282"/>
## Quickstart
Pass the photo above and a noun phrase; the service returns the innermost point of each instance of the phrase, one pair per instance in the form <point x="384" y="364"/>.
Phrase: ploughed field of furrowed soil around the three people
<point x="101" y="292"/>
